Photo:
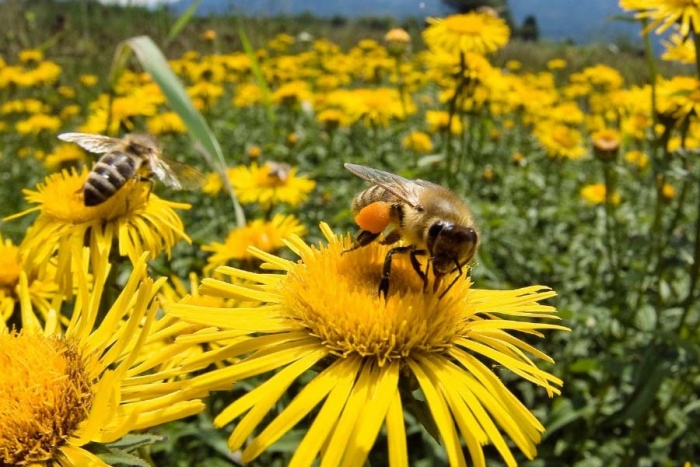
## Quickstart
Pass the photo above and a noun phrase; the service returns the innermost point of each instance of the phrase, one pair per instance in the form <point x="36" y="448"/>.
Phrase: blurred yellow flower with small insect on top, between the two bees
<point x="268" y="186"/>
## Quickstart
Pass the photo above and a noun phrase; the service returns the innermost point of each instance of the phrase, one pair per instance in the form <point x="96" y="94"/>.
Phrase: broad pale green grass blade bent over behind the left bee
<point x="156" y="65"/>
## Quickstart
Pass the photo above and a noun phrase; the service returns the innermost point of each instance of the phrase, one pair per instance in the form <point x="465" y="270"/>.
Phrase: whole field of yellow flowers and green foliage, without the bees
<point x="228" y="325"/>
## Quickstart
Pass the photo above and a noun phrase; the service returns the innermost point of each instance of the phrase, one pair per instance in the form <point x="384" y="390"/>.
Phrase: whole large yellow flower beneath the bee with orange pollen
<point x="323" y="311"/>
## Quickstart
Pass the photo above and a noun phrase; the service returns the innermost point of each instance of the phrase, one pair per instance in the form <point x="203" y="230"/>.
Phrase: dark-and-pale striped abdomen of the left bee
<point x="110" y="173"/>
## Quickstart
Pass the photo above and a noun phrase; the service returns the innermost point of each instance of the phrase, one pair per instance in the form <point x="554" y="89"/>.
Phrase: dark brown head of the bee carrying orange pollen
<point x="451" y="246"/>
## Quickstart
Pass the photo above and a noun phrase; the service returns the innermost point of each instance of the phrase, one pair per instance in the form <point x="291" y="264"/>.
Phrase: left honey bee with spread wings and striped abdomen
<point x="134" y="156"/>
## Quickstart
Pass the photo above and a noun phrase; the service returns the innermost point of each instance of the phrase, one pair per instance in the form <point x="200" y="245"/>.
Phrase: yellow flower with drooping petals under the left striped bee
<point x="134" y="218"/>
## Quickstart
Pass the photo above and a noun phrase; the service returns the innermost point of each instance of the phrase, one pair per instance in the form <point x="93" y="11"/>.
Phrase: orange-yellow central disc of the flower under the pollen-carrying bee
<point x="336" y="297"/>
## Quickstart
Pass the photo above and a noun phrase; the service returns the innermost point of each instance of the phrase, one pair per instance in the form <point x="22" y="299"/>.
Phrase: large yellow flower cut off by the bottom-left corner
<point x="92" y="383"/>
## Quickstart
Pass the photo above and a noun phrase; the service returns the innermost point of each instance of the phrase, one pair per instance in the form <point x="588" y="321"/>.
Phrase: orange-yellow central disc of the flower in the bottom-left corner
<point x="44" y="395"/>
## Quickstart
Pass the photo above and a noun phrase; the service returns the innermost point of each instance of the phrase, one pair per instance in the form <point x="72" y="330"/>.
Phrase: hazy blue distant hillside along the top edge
<point x="581" y="21"/>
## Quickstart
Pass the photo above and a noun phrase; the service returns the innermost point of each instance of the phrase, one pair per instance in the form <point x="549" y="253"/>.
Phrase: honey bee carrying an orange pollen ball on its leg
<point x="429" y="218"/>
